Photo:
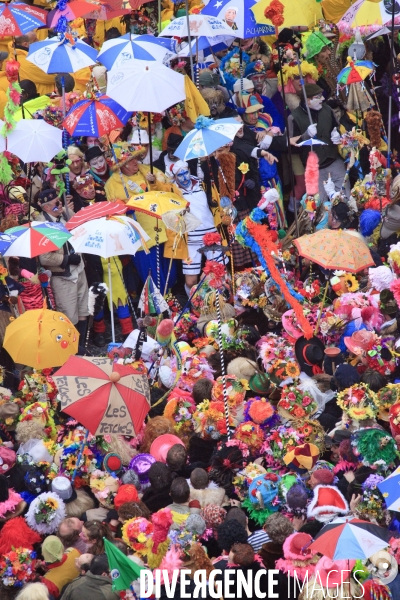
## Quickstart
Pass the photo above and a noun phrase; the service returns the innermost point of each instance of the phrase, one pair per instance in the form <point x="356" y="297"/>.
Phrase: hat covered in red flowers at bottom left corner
<point x="18" y="567"/>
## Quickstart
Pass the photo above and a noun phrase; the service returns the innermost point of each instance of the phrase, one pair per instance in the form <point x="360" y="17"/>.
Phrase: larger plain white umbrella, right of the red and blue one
<point x="146" y="86"/>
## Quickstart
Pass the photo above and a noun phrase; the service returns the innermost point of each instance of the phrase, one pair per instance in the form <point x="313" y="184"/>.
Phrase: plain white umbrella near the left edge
<point x="34" y="140"/>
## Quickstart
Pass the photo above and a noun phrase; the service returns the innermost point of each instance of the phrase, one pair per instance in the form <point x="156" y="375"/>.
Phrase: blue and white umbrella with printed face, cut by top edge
<point x="238" y="16"/>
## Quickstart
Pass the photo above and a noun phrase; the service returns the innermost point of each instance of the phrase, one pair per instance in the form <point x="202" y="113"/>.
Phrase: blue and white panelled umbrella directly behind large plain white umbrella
<point x="119" y="52"/>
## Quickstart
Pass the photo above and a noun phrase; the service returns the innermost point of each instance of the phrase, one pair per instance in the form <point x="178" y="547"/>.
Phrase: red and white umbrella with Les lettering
<point x="103" y="396"/>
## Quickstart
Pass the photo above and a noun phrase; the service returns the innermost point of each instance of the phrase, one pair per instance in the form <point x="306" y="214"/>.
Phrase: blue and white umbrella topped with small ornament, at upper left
<point x="61" y="54"/>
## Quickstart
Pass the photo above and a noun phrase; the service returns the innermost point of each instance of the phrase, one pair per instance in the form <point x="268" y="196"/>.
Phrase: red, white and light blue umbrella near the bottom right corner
<point x="347" y="538"/>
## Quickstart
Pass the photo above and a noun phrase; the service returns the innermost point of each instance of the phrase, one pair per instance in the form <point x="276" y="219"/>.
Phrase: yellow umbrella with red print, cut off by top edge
<point x="295" y="14"/>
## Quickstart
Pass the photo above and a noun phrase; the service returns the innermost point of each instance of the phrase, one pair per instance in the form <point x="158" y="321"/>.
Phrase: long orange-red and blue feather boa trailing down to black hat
<point x="257" y="237"/>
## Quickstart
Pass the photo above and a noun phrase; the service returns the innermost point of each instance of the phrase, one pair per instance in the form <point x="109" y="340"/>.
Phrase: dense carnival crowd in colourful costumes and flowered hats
<point x="273" y="374"/>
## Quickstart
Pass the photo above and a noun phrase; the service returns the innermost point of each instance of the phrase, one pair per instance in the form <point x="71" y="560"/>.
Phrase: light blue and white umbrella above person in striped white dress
<point x="206" y="137"/>
